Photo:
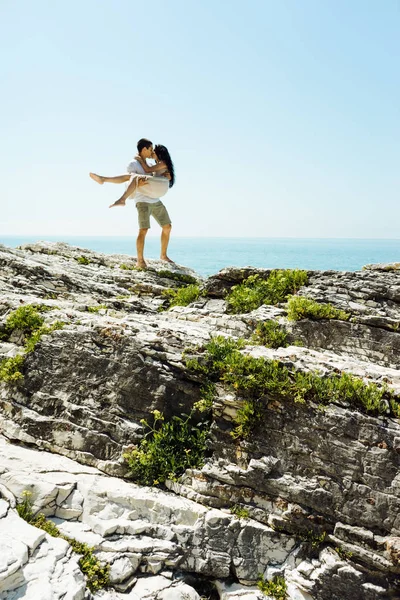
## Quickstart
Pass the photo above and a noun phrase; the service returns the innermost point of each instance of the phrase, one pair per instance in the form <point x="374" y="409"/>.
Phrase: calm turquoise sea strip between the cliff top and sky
<point x="209" y="255"/>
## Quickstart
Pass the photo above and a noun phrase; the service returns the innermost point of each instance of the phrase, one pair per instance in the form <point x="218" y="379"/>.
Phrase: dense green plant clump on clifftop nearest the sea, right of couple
<point x="254" y="291"/>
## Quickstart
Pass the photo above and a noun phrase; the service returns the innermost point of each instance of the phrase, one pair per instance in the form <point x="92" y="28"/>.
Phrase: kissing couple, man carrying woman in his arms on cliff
<point x="147" y="184"/>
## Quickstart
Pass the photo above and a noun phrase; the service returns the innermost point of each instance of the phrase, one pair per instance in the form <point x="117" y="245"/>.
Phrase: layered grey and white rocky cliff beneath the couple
<point x="310" y="494"/>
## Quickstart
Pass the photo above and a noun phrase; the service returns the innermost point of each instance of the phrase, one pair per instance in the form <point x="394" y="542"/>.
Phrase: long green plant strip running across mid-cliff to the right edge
<point x="252" y="378"/>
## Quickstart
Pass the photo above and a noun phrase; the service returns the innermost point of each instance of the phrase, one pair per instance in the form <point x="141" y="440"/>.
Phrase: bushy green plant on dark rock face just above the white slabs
<point x="167" y="449"/>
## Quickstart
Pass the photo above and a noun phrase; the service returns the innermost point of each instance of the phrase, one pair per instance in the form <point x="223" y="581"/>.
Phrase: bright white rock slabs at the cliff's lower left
<point x="136" y="530"/>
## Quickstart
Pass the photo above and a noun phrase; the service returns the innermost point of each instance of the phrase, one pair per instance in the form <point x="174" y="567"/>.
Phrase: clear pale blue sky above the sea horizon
<point x="282" y="116"/>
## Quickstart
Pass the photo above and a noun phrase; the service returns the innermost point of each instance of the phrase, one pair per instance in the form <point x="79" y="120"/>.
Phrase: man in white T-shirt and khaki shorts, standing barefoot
<point x="147" y="207"/>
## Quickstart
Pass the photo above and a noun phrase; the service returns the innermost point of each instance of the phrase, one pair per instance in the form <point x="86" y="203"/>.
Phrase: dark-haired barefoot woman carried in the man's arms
<point x="153" y="186"/>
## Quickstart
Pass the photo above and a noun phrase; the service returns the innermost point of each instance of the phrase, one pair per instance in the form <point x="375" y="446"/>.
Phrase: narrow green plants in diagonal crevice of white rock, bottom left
<point x="96" y="574"/>
